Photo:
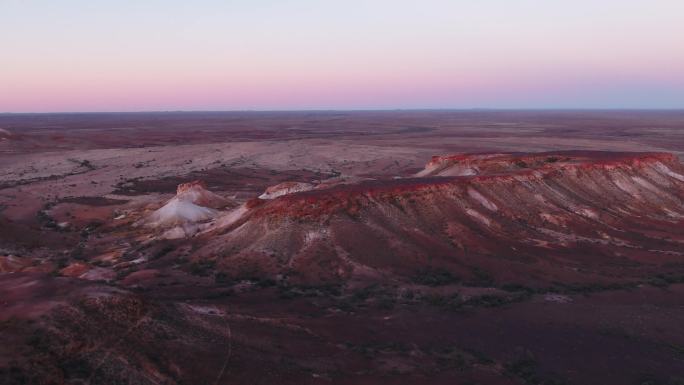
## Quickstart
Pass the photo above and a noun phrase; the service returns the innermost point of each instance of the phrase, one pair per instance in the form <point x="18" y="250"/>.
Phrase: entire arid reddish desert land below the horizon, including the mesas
<point x="394" y="247"/>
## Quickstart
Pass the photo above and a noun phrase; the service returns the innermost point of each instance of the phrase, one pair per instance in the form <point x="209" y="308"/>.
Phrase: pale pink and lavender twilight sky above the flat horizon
<point x="160" y="55"/>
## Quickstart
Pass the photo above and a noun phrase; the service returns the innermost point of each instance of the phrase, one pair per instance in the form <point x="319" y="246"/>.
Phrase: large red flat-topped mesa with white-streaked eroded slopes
<point x="566" y="216"/>
